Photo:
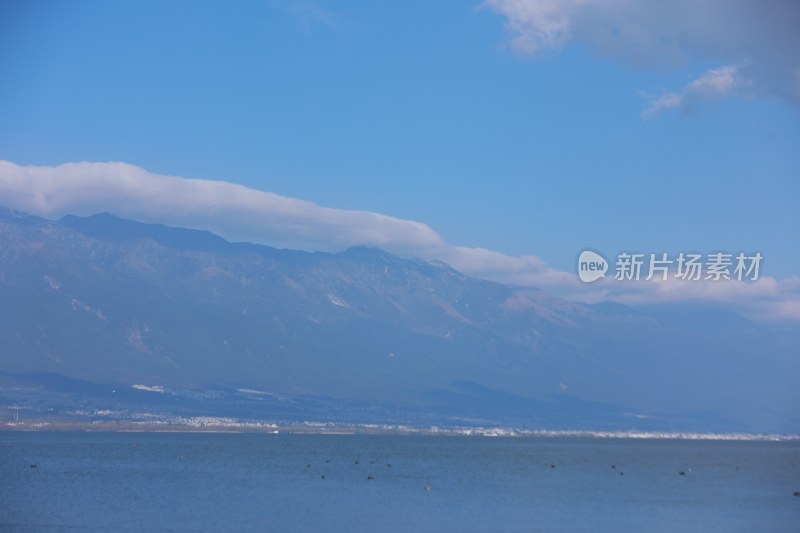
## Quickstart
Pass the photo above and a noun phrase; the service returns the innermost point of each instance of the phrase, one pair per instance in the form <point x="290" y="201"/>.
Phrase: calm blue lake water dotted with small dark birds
<point x="191" y="481"/>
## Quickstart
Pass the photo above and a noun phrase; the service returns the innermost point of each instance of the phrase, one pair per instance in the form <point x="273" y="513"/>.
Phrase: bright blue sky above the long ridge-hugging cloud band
<point x="481" y="121"/>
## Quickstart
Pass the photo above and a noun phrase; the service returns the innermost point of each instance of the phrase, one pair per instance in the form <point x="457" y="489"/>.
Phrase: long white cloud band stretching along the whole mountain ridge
<point x="240" y="213"/>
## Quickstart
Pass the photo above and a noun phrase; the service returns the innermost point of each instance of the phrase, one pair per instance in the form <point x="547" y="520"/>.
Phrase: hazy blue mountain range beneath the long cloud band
<point x="112" y="301"/>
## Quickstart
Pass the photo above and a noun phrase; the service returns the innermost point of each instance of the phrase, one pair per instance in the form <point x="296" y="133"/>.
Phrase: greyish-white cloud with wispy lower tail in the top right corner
<point x="760" y="36"/>
